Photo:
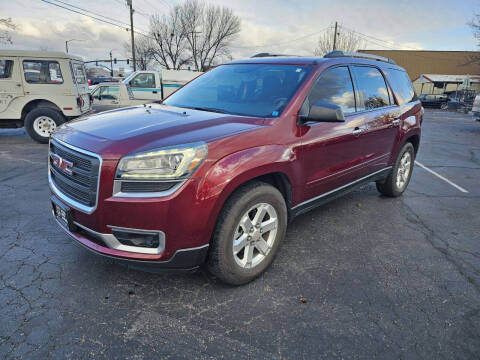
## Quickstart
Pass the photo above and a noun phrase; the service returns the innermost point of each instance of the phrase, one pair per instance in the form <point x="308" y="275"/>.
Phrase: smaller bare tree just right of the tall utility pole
<point x="169" y="47"/>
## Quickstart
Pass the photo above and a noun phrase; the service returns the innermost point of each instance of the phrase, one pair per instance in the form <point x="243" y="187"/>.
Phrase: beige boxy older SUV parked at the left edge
<point x="41" y="90"/>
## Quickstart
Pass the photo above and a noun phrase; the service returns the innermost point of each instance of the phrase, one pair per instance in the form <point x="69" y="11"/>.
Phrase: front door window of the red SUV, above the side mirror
<point x="334" y="86"/>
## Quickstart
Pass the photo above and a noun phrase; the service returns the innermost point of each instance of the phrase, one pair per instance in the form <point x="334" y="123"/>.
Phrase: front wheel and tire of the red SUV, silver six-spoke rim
<point x="255" y="198"/>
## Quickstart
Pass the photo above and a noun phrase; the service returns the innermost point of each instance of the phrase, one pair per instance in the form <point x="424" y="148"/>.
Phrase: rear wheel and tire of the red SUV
<point x="392" y="186"/>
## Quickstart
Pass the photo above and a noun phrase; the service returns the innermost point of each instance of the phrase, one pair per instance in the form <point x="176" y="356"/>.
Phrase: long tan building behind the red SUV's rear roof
<point x="418" y="62"/>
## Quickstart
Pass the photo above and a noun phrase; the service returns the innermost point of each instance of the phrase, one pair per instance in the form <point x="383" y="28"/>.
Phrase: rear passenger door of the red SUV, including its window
<point x="376" y="106"/>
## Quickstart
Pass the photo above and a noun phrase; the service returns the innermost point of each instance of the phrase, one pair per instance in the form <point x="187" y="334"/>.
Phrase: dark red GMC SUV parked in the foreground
<point x="215" y="172"/>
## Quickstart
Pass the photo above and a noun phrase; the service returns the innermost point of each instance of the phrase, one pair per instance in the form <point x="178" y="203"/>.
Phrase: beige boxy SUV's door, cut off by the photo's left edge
<point x="10" y="83"/>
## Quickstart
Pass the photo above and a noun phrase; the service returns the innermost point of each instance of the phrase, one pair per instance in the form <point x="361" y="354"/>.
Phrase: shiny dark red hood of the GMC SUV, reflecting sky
<point x="119" y="132"/>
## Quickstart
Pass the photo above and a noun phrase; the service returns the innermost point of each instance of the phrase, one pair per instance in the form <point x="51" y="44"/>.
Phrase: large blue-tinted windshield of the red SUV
<point x="260" y="90"/>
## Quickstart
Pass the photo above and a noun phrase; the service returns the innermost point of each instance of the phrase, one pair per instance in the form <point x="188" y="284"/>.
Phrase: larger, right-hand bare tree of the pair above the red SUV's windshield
<point x="209" y="31"/>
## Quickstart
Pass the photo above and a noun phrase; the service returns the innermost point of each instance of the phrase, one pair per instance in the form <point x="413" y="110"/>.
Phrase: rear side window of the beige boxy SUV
<point x="42" y="72"/>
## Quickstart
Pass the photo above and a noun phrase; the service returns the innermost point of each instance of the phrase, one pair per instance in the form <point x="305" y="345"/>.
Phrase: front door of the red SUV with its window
<point x="333" y="153"/>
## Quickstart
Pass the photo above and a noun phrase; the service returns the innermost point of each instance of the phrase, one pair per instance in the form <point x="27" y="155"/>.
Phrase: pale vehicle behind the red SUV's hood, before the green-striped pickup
<point x="109" y="96"/>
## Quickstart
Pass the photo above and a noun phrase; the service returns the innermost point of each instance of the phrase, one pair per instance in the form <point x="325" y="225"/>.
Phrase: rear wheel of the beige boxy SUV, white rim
<point x="40" y="123"/>
